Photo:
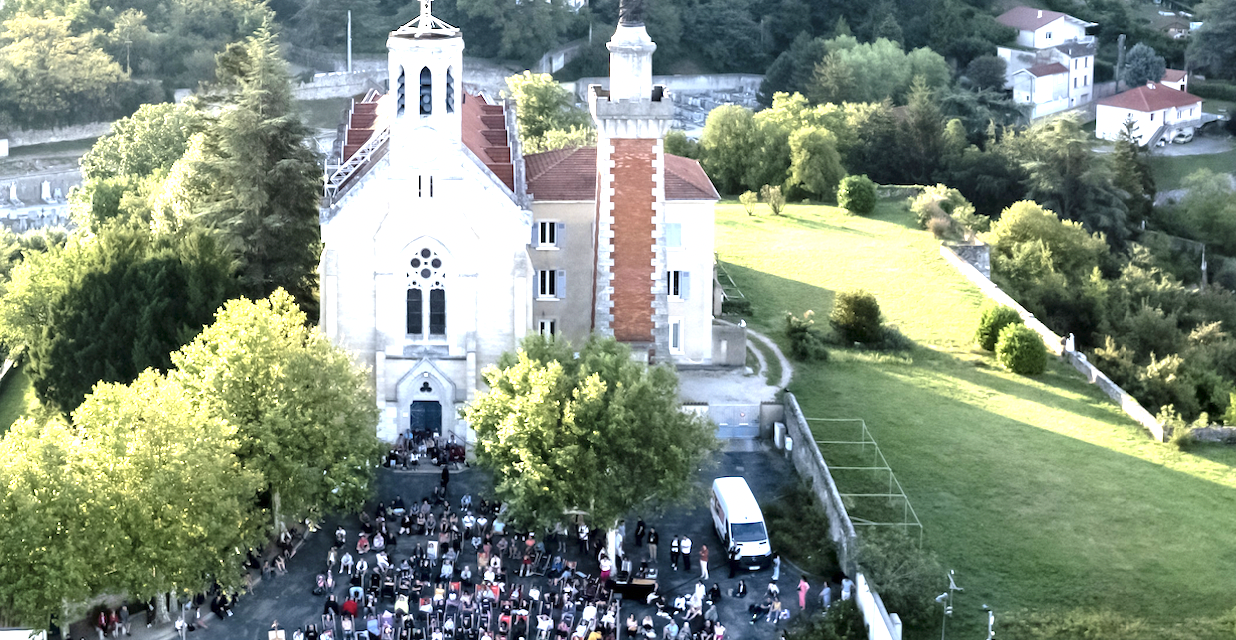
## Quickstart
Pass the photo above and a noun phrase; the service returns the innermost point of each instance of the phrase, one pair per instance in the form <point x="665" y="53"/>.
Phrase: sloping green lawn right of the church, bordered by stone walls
<point x="1038" y="491"/>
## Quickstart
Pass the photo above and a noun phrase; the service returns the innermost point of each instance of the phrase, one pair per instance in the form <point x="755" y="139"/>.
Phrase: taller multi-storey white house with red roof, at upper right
<point x="1052" y="67"/>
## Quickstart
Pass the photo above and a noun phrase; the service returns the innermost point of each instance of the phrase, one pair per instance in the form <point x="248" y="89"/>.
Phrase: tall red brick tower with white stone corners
<point x="632" y="118"/>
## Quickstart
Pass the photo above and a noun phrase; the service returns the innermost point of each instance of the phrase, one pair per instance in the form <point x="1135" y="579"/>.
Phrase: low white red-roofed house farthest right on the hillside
<point x="1158" y="113"/>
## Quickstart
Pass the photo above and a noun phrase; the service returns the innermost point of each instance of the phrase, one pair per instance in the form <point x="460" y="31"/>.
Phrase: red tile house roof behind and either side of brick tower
<point x="572" y="175"/>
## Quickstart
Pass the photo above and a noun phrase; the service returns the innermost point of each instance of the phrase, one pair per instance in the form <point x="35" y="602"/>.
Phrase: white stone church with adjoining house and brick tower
<point x="444" y="245"/>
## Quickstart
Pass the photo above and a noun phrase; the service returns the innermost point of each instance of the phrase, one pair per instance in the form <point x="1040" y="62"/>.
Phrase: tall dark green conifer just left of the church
<point x="259" y="180"/>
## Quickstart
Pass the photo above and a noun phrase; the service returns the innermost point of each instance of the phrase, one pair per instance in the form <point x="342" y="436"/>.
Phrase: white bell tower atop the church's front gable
<point x="426" y="66"/>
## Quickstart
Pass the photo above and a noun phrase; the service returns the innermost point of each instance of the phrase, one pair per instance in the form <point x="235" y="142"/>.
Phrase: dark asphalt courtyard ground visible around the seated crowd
<point x="290" y="600"/>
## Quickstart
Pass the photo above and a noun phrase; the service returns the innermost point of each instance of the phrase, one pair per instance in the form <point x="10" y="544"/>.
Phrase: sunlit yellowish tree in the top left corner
<point x="50" y="76"/>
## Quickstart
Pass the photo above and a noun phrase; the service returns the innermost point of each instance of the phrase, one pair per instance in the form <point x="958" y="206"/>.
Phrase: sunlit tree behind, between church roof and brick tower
<point x="544" y="107"/>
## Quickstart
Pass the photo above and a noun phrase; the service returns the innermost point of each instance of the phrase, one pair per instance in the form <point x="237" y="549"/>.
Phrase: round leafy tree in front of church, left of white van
<point x="596" y="433"/>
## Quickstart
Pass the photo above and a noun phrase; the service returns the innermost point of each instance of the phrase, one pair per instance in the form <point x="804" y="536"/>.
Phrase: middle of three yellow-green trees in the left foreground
<point x="179" y="508"/>
